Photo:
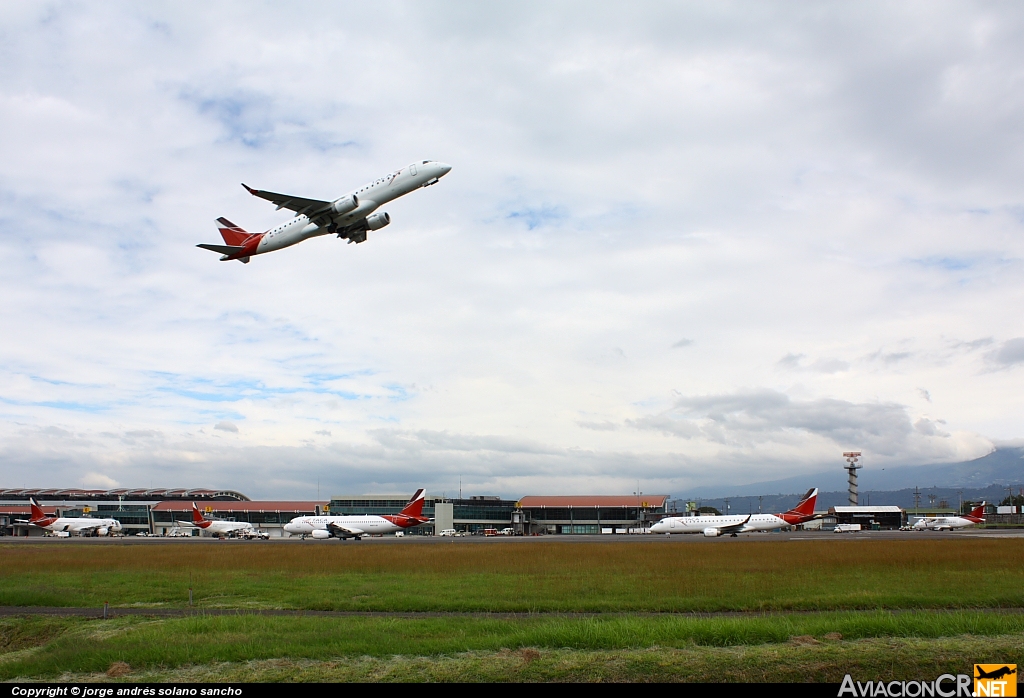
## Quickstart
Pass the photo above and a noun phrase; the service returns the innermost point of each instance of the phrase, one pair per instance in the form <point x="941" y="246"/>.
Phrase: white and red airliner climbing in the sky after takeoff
<point x="352" y="216"/>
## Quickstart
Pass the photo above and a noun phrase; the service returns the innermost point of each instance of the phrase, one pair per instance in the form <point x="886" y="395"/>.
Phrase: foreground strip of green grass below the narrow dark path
<point x="626" y="648"/>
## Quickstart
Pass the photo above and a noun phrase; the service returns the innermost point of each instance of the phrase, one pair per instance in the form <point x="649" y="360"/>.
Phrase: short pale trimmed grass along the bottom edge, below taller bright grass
<point x="867" y="661"/>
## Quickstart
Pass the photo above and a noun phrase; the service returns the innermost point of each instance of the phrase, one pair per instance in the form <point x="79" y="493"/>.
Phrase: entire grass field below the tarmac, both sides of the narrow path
<point x="825" y="581"/>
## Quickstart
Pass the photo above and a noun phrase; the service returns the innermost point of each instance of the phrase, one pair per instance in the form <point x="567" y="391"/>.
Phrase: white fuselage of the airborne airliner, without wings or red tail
<point x="371" y="198"/>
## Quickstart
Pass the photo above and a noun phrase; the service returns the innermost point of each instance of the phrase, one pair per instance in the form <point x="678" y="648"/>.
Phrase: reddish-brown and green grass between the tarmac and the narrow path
<point x="524" y="578"/>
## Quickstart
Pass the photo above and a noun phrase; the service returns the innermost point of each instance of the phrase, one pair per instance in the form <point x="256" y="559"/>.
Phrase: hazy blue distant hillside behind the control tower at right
<point x="985" y="478"/>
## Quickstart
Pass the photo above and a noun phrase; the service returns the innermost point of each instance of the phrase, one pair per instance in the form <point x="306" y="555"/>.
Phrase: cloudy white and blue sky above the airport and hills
<point x="682" y="245"/>
